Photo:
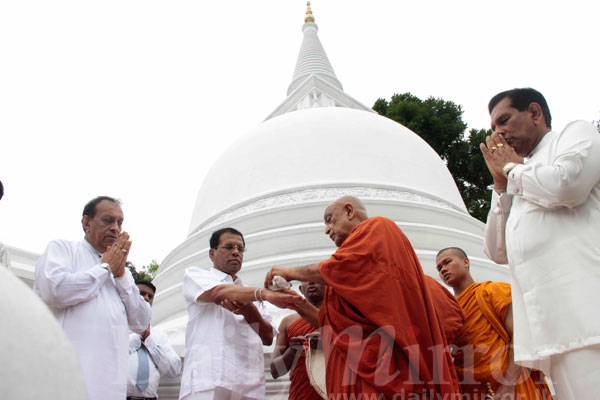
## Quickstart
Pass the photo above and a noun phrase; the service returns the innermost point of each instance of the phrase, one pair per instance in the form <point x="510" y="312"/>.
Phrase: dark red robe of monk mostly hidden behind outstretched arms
<point x="300" y="387"/>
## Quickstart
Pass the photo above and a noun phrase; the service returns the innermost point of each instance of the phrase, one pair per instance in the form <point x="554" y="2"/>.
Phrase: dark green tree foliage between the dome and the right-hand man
<point x="439" y="123"/>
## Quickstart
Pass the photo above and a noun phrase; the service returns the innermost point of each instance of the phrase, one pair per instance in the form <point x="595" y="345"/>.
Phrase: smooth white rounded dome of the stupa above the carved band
<point x="314" y="147"/>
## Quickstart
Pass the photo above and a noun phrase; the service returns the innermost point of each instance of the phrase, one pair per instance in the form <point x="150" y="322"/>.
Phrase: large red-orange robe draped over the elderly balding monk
<point x="381" y="334"/>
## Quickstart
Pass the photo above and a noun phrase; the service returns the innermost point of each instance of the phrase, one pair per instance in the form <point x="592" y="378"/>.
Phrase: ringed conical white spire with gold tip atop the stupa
<point x="312" y="59"/>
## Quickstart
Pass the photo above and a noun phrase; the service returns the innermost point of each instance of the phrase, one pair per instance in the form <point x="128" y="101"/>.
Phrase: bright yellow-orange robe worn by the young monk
<point x="483" y="344"/>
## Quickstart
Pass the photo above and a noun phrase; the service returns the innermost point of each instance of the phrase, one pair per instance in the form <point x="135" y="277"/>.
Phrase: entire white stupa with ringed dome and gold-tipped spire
<point x="274" y="183"/>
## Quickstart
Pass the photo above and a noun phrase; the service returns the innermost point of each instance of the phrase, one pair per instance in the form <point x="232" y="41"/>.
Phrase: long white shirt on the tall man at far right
<point x="547" y="226"/>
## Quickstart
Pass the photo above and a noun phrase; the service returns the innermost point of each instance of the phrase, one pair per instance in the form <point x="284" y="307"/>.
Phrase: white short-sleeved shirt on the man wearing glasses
<point x="221" y="348"/>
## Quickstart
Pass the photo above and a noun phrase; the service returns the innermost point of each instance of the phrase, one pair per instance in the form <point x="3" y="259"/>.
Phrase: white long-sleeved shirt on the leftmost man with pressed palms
<point x="95" y="310"/>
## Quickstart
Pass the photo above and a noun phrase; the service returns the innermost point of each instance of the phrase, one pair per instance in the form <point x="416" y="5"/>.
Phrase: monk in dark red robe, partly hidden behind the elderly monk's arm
<point x="289" y="352"/>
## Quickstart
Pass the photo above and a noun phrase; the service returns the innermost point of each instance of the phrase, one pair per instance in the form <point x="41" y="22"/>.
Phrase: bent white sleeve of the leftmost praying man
<point x="57" y="284"/>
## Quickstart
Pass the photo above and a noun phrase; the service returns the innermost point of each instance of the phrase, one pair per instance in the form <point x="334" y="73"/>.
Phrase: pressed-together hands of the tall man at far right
<point x="497" y="153"/>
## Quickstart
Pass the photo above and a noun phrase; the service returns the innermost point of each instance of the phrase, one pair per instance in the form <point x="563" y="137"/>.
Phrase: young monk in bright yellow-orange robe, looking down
<point x="484" y="357"/>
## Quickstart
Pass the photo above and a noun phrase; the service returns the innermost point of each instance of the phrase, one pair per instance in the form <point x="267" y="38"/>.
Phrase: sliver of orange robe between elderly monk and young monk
<point x="448" y="310"/>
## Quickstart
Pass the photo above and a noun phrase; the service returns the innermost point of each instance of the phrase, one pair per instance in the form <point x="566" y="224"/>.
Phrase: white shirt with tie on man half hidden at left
<point x="163" y="361"/>
